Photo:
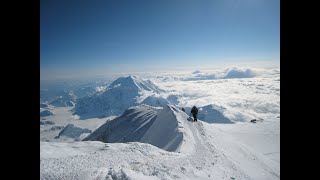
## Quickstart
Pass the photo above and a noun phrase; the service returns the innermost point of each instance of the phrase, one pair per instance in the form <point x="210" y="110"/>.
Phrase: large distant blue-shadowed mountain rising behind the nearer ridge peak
<point x="119" y="95"/>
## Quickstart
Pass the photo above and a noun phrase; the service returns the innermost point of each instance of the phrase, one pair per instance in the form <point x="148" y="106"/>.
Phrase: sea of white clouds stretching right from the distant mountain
<point x="243" y="98"/>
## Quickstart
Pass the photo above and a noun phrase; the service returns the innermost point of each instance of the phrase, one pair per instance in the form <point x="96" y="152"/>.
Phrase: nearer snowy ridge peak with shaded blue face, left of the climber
<point x="167" y="128"/>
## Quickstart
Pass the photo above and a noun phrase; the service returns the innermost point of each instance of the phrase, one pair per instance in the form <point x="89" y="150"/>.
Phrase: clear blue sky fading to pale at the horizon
<point x="119" y="35"/>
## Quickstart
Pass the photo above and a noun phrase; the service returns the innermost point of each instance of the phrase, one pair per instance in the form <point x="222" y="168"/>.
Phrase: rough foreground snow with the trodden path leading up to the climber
<point x="97" y="160"/>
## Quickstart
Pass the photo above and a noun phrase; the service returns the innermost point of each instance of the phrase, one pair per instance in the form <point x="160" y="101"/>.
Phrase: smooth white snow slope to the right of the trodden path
<point x="253" y="148"/>
